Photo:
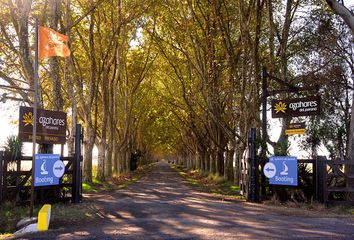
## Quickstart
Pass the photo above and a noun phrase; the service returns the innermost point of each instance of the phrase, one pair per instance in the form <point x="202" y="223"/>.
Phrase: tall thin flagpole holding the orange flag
<point x="35" y="103"/>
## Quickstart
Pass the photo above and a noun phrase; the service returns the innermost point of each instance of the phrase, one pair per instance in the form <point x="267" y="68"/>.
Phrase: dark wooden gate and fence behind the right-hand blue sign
<point x="327" y="182"/>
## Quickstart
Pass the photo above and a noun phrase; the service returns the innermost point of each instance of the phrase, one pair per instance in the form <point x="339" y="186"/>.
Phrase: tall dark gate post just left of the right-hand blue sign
<point x="253" y="185"/>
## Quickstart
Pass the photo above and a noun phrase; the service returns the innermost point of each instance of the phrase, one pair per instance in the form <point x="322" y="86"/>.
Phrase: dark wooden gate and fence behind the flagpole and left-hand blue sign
<point x="16" y="187"/>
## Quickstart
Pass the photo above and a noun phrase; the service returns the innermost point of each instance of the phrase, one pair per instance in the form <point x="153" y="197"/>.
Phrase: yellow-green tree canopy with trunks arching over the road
<point x="182" y="79"/>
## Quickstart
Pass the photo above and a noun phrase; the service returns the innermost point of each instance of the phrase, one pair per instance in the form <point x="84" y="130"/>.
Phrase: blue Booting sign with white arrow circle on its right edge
<point x="48" y="169"/>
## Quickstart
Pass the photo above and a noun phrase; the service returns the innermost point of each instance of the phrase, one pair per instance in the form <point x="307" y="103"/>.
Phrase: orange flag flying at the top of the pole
<point x="52" y="43"/>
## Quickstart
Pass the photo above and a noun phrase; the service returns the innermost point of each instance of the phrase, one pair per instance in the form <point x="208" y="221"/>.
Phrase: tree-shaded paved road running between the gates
<point x="162" y="206"/>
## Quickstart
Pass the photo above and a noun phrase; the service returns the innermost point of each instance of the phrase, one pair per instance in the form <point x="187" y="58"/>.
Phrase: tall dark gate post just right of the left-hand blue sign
<point x="76" y="166"/>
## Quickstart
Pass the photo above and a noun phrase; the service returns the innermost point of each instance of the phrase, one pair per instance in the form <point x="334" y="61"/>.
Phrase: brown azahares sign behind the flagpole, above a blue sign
<point x="51" y="126"/>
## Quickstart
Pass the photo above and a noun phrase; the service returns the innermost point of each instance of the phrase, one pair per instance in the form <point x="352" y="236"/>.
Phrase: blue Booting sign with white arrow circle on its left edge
<point x="282" y="170"/>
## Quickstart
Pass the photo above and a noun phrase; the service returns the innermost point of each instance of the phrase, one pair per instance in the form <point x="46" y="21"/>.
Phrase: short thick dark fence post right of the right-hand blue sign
<point x="321" y="179"/>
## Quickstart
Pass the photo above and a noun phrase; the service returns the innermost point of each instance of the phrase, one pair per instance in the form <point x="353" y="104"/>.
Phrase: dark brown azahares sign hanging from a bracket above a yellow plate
<point x="296" y="107"/>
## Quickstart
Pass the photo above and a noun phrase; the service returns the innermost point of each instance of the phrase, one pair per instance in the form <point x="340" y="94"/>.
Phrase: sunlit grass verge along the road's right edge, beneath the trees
<point x="206" y="182"/>
